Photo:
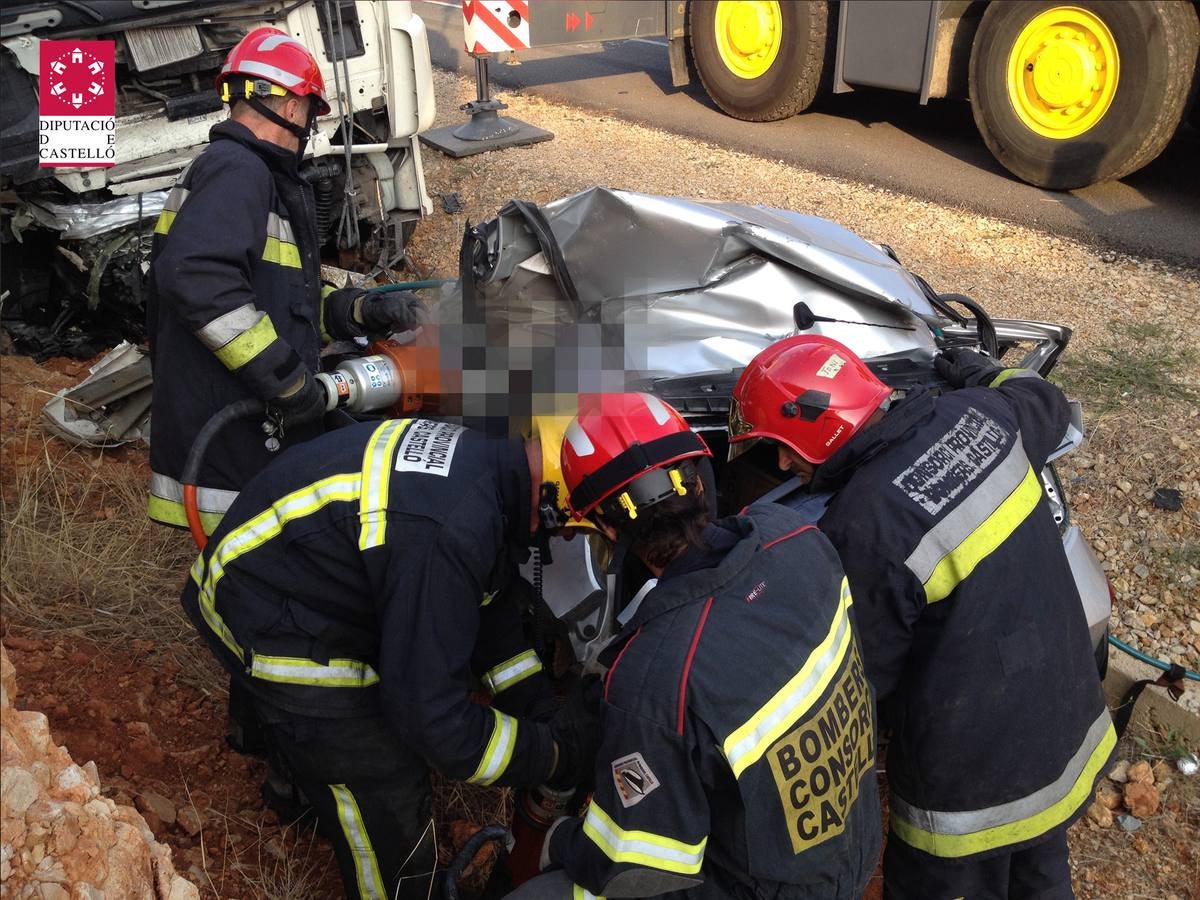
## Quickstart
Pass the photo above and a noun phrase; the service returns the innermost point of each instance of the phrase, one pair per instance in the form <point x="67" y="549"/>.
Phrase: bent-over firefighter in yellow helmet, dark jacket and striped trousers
<point x="358" y="589"/>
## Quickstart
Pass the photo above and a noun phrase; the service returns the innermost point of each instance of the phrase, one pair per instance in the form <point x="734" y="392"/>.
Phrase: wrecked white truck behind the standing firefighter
<point x="76" y="243"/>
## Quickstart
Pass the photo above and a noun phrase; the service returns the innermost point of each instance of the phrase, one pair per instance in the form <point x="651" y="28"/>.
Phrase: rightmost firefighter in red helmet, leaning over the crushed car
<point x="974" y="634"/>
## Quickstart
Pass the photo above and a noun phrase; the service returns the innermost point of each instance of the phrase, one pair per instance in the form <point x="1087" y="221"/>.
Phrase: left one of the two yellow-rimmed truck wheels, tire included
<point x="761" y="61"/>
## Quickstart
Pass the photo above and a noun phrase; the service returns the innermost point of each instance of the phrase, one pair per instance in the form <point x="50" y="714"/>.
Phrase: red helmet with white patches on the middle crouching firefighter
<point x="621" y="453"/>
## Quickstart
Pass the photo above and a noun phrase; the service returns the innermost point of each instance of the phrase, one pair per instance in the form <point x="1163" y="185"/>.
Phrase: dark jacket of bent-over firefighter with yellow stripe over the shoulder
<point x="355" y="577"/>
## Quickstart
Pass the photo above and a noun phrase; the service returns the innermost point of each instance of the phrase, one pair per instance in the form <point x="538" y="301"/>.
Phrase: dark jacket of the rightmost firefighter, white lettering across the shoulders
<point x="973" y="629"/>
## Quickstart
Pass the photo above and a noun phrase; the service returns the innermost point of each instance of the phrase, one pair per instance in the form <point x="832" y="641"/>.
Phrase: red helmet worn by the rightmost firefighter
<point x="809" y="393"/>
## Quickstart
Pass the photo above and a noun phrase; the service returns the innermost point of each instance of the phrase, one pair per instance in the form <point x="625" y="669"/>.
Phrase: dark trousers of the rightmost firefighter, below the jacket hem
<point x="1041" y="872"/>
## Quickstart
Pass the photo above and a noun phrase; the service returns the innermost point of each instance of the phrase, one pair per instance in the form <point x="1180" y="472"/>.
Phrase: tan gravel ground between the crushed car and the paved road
<point x="1133" y="359"/>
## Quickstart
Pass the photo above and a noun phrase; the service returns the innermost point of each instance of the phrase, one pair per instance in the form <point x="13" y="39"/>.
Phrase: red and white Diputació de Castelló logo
<point x="77" y="127"/>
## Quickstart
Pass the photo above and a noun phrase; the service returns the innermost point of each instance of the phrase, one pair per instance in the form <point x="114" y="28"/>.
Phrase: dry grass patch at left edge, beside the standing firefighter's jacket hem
<point x="81" y="557"/>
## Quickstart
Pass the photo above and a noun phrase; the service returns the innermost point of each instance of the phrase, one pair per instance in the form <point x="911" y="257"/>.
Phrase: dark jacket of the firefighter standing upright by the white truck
<point x="233" y="313"/>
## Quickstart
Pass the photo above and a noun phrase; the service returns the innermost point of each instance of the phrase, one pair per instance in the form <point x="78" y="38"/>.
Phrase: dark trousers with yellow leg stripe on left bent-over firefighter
<point x="371" y="796"/>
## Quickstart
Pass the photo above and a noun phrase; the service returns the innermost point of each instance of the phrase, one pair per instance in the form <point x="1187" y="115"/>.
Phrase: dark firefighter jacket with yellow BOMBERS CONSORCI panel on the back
<point x="739" y="739"/>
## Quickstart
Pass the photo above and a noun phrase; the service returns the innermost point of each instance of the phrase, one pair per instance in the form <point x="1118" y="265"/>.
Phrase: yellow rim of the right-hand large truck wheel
<point x="1063" y="73"/>
